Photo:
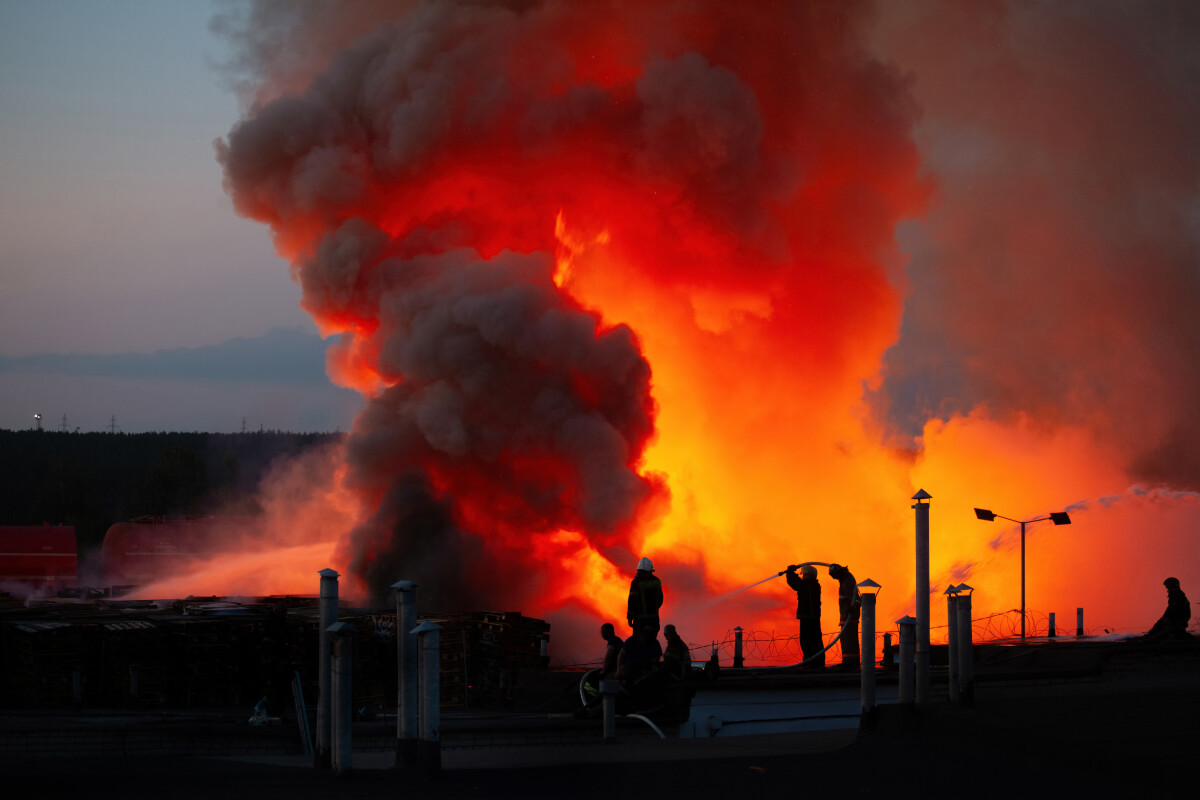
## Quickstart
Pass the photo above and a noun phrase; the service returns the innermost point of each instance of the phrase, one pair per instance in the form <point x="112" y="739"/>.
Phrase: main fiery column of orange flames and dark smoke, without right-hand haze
<point x="620" y="299"/>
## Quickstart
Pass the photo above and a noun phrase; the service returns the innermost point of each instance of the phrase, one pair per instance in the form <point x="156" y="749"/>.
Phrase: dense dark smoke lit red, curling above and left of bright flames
<point x="417" y="183"/>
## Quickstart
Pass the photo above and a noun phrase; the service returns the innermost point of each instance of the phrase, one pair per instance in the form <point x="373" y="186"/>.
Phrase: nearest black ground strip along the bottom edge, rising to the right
<point x="1137" y="744"/>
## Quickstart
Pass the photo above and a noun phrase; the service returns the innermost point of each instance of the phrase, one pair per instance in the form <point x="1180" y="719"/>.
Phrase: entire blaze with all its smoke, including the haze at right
<point x="724" y="286"/>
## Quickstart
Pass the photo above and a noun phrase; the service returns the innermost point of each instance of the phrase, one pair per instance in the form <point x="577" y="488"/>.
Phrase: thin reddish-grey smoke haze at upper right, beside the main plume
<point x="1058" y="274"/>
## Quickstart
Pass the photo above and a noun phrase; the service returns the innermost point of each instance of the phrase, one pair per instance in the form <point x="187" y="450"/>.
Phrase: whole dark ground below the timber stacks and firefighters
<point x="1124" y="725"/>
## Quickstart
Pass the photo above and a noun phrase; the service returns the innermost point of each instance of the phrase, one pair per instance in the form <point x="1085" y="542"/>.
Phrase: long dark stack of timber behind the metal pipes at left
<point x="220" y="653"/>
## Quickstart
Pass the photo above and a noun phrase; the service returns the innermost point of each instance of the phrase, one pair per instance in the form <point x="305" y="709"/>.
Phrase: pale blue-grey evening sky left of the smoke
<point x="116" y="233"/>
